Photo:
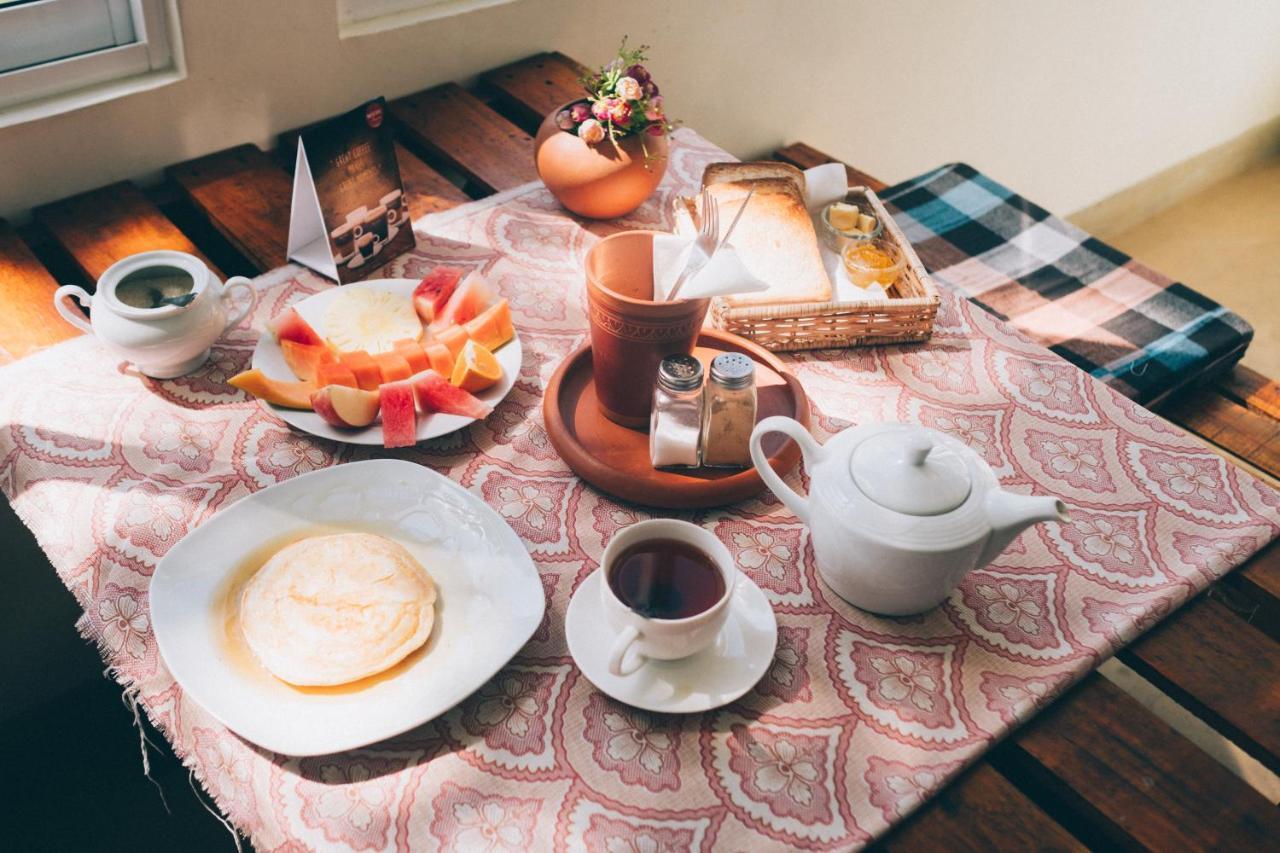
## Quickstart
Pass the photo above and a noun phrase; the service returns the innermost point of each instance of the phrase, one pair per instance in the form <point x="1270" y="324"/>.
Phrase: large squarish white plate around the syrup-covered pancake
<point x="491" y="601"/>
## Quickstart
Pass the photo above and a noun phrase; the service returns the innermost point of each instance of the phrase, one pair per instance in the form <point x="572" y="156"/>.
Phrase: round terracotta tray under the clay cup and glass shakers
<point x="616" y="459"/>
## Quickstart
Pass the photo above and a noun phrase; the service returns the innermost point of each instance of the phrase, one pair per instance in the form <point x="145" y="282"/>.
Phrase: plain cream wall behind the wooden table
<point x="1067" y="102"/>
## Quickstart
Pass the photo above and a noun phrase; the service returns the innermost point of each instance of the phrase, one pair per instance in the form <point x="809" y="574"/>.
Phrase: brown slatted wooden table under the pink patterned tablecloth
<point x="1096" y="769"/>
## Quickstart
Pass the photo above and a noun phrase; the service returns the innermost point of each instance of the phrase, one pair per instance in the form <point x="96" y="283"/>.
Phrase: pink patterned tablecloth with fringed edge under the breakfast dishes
<point x="860" y="718"/>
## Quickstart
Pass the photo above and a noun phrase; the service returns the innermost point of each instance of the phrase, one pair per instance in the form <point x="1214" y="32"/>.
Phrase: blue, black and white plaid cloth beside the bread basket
<point x="1124" y="323"/>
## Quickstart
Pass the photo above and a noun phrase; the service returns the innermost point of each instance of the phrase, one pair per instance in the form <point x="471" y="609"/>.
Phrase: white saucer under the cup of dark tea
<point x="715" y="677"/>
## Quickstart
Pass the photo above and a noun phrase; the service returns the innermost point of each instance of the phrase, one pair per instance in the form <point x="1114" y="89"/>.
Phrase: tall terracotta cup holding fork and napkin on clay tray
<point x="632" y="334"/>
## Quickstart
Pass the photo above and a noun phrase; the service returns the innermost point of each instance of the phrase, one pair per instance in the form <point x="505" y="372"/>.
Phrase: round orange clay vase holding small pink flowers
<point x="598" y="181"/>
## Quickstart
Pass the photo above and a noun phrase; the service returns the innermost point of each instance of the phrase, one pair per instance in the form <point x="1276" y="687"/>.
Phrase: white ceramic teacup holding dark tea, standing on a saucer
<point x="639" y="637"/>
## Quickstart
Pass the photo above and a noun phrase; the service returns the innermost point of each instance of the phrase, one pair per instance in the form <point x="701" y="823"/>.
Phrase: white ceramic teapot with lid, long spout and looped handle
<point x="899" y="513"/>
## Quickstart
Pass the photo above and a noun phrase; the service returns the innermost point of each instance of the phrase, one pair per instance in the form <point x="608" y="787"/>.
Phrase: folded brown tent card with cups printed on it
<point x="349" y="216"/>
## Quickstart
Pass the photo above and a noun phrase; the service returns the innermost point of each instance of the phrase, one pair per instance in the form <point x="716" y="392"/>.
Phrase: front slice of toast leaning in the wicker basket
<point x="775" y="239"/>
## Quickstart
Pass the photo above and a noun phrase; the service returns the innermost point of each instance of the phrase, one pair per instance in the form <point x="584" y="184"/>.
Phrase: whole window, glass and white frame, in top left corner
<point x="57" y="56"/>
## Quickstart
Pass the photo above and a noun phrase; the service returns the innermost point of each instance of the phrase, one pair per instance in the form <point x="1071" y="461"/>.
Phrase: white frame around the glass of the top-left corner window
<point x="154" y="60"/>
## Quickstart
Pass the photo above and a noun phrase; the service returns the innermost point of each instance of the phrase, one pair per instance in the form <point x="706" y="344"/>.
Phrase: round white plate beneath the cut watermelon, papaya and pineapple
<point x="269" y="359"/>
